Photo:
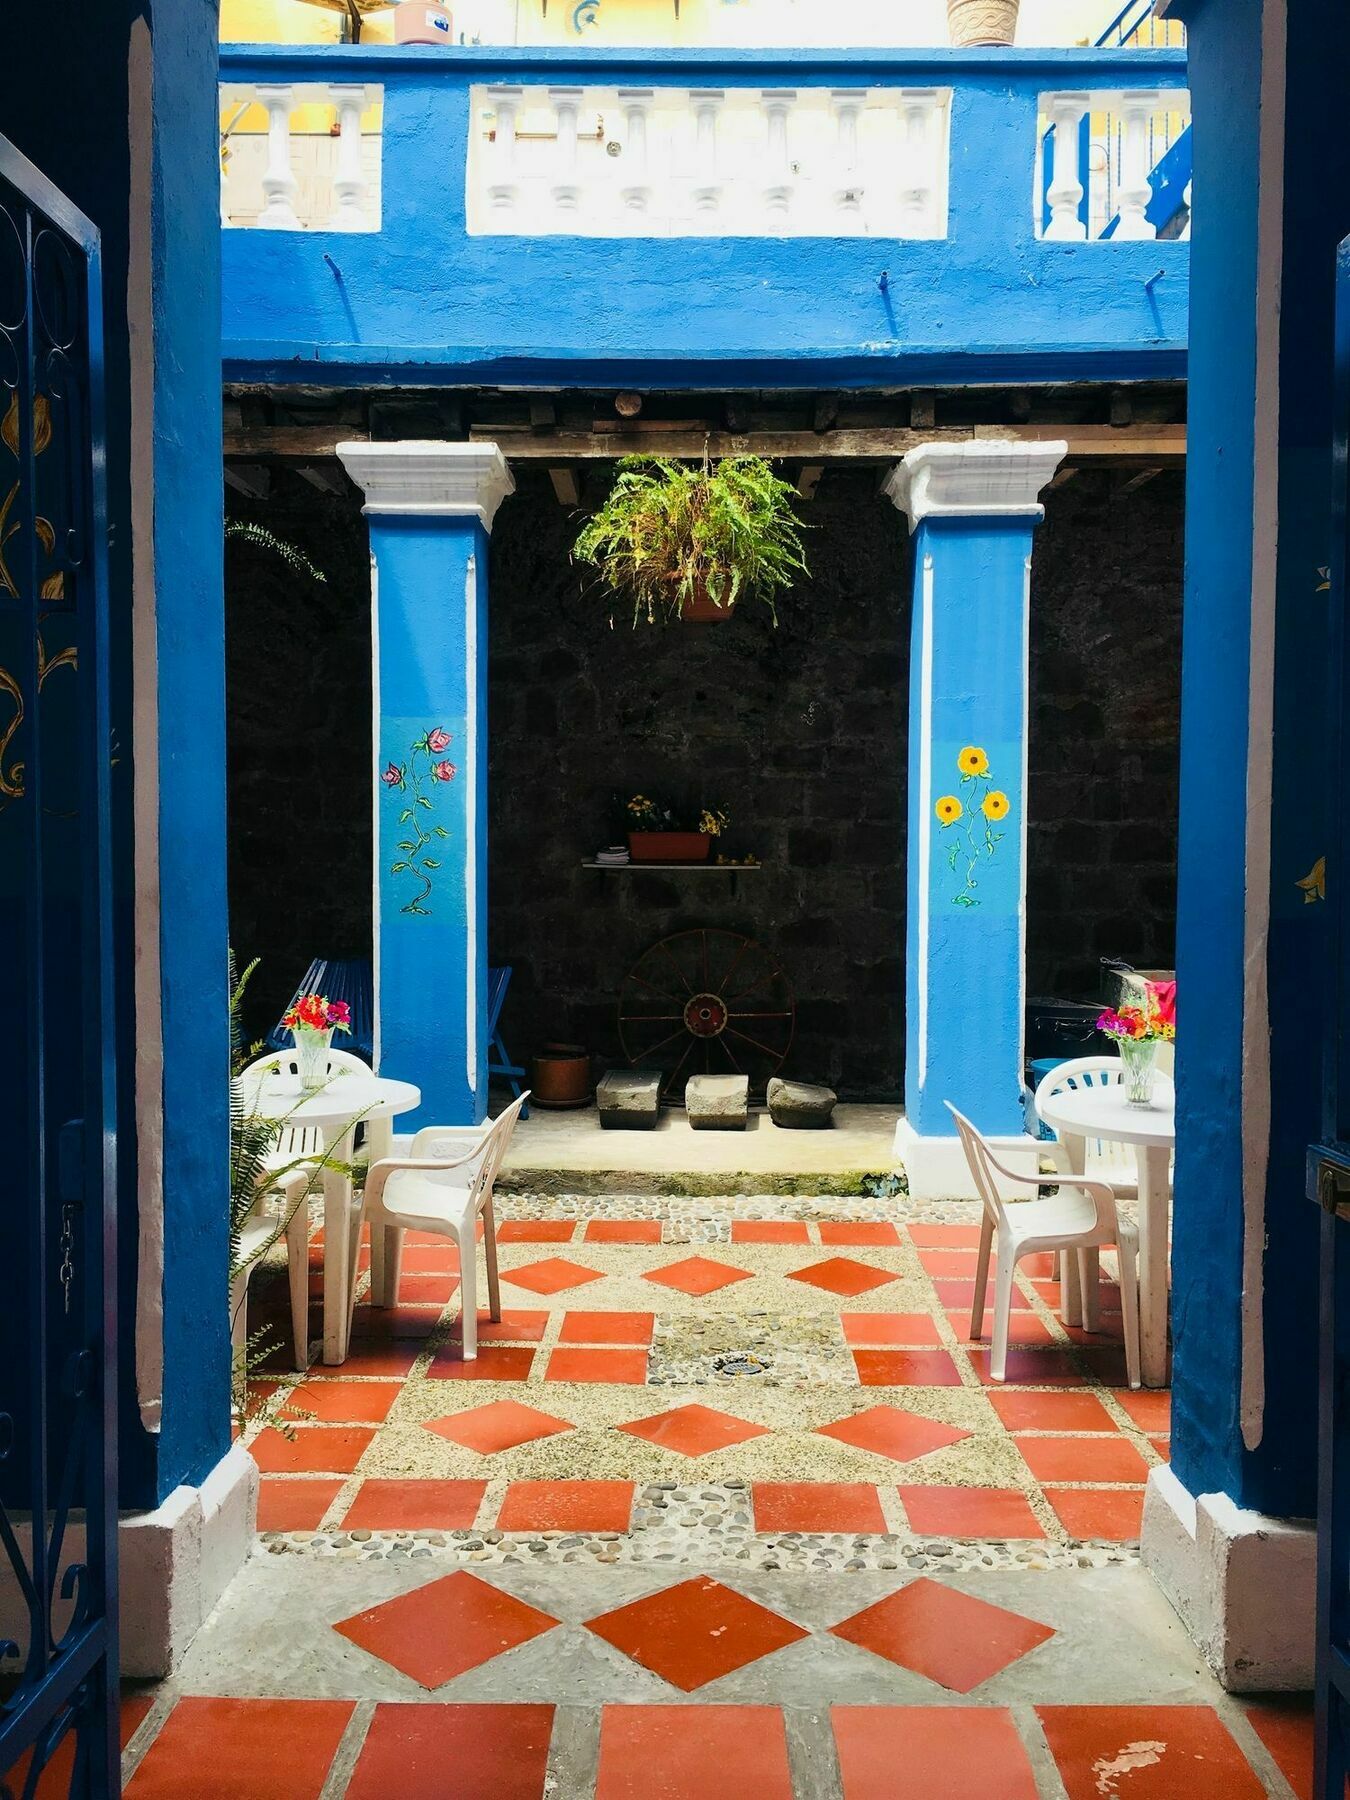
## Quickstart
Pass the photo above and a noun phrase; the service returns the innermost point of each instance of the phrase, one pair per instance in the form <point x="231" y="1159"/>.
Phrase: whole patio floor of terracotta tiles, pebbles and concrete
<point x="723" y="1455"/>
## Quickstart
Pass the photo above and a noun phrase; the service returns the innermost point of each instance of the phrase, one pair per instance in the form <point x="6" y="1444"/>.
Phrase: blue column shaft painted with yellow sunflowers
<point x="973" y="811"/>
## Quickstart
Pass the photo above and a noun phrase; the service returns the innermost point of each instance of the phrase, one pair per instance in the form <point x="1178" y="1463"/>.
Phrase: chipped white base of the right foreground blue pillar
<point x="1243" y="1585"/>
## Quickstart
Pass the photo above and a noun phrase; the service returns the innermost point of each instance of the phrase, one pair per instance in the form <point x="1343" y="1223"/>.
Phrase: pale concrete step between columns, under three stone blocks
<point x="570" y="1153"/>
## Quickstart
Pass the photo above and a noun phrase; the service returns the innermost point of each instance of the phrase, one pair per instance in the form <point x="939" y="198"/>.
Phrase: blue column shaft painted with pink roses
<point x="433" y="813"/>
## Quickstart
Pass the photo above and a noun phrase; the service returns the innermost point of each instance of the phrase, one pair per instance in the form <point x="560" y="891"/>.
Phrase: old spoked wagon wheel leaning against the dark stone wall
<point x="706" y="1003"/>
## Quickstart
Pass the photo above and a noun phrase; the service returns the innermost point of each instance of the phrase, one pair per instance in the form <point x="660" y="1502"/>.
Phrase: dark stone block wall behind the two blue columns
<point x="798" y="732"/>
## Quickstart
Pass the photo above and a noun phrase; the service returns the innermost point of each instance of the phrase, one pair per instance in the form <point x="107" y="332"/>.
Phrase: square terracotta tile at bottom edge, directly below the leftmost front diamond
<point x="454" y="1752"/>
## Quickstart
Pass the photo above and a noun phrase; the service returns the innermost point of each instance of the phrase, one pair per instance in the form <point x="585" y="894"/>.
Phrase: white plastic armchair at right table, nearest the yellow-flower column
<point x="1081" y="1218"/>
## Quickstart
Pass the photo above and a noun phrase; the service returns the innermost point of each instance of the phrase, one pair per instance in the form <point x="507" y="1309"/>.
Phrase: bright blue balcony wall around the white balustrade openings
<point x="424" y="301"/>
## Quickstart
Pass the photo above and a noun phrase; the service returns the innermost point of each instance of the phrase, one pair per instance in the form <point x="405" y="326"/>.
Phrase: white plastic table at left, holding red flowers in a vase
<point x="336" y="1111"/>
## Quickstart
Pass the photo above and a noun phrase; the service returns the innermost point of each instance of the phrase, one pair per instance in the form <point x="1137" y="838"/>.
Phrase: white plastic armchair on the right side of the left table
<point x="444" y="1185"/>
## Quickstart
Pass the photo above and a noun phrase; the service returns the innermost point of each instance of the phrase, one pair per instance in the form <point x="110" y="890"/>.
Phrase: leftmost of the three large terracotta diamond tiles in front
<point x="447" y="1628"/>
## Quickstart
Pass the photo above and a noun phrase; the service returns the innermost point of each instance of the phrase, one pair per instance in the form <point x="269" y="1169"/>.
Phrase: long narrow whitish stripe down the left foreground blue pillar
<point x="145" y="744"/>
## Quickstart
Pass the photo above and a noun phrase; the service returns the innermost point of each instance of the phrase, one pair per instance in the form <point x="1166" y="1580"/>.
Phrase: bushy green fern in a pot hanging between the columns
<point x="688" y="543"/>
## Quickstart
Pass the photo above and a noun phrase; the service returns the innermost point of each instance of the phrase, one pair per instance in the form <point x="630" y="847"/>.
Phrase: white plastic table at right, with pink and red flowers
<point x="1083" y="1113"/>
